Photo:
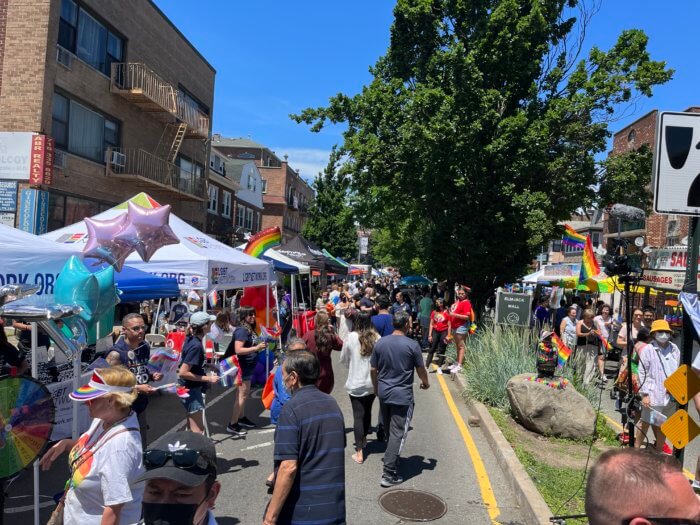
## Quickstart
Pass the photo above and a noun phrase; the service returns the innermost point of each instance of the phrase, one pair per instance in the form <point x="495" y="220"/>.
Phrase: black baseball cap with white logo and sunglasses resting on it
<point x="184" y="457"/>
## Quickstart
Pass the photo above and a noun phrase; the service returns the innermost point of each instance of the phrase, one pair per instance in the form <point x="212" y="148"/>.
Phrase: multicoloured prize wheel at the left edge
<point x="26" y="421"/>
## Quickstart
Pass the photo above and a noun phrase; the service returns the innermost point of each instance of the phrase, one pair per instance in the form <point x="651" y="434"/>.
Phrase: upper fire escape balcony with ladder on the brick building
<point x="144" y="87"/>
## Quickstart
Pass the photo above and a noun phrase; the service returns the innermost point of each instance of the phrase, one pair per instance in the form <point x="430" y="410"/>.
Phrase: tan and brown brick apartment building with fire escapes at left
<point x="126" y="98"/>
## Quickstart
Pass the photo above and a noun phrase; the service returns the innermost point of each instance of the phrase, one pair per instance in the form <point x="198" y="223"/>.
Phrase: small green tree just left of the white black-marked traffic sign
<point x="626" y="179"/>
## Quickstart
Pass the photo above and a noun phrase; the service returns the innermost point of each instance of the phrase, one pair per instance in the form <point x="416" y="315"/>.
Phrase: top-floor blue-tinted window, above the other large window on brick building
<point x="87" y="38"/>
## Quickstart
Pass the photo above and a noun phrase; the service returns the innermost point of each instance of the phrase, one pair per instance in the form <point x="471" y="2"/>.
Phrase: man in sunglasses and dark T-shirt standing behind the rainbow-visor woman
<point x="134" y="352"/>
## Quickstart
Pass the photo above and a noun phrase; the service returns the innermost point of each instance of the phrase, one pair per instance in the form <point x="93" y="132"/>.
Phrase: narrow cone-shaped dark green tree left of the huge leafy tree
<point x="331" y="223"/>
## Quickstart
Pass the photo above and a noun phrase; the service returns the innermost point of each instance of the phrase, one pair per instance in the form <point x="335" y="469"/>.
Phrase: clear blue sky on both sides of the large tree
<point x="277" y="57"/>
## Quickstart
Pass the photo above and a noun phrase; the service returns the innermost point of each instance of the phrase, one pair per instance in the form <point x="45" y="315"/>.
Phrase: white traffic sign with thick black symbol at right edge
<point x="676" y="177"/>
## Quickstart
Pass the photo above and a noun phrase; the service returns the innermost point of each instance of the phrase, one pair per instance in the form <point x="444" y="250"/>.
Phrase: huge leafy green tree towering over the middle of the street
<point x="479" y="129"/>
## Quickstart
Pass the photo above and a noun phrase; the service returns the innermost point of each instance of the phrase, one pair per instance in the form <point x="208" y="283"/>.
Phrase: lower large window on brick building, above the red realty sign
<point x="82" y="131"/>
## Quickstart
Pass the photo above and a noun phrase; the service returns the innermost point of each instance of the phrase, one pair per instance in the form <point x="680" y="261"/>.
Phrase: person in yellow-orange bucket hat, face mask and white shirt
<point x="657" y="361"/>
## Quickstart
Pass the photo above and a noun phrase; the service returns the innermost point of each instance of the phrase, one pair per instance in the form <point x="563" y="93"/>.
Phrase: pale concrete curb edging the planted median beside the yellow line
<point x="536" y="510"/>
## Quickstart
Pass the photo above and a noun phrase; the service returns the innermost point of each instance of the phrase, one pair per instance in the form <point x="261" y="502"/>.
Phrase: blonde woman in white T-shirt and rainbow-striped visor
<point x="105" y="459"/>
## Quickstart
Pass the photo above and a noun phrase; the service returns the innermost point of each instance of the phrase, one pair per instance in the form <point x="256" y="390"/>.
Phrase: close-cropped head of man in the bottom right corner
<point x="629" y="486"/>
